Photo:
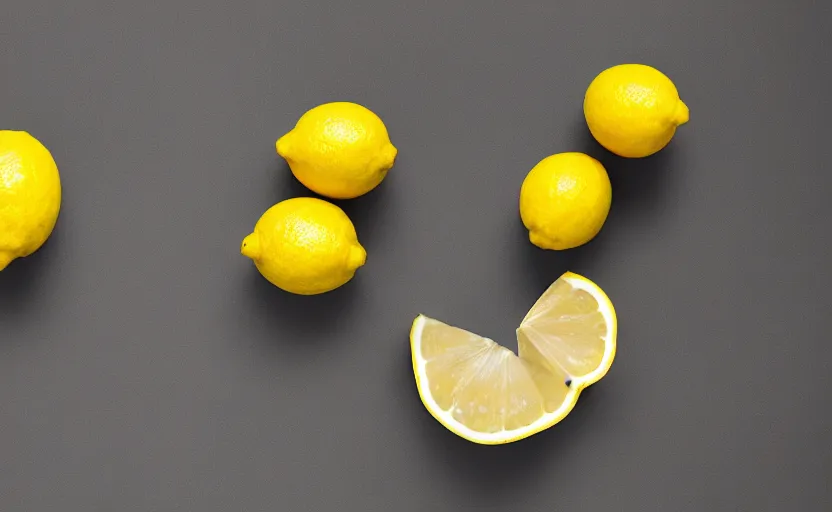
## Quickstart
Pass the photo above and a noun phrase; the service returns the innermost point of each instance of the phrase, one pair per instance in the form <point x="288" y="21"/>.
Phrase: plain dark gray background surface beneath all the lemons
<point x="145" y="365"/>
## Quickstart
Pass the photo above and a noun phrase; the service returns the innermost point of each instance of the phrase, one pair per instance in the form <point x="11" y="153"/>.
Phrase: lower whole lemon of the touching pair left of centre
<point x="305" y="246"/>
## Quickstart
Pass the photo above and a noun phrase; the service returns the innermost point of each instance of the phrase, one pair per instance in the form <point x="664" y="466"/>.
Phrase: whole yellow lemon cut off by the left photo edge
<point x="30" y="195"/>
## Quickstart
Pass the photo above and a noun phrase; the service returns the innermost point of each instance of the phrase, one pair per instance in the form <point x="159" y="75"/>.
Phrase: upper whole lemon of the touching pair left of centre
<point x="339" y="150"/>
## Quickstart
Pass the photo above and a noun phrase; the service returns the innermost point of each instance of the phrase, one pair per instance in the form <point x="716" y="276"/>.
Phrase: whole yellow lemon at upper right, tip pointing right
<point x="633" y="110"/>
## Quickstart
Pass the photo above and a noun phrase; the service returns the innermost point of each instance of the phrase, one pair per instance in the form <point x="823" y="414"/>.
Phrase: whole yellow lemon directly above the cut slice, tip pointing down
<point x="565" y="200"/>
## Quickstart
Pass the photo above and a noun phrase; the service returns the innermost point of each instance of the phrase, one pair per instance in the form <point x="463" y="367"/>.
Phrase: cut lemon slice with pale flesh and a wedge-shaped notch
<point x="486" y="394"/>
